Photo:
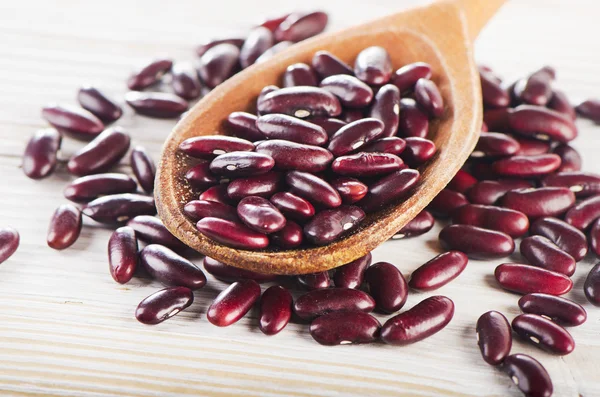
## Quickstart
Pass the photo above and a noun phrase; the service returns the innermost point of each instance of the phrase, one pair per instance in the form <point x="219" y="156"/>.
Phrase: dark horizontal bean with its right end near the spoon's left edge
<point x="117" y="208"/>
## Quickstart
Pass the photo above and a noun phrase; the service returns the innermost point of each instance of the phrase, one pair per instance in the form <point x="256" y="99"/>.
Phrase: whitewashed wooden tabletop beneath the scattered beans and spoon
<point x="66" y="329"/>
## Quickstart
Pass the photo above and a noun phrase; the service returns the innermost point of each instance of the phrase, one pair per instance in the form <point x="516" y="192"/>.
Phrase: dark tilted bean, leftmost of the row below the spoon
<point x="163" y="305"/>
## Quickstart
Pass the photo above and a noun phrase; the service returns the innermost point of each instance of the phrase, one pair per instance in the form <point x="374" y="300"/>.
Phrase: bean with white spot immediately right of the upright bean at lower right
<point x="544" y="333"/>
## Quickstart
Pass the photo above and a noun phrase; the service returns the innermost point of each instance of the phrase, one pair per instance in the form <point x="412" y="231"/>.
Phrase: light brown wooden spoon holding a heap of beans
<point x="440" y="34"/>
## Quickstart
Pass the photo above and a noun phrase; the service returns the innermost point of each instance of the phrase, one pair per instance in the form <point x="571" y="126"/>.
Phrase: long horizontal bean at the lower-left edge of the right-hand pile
<point x="477" y="242"/>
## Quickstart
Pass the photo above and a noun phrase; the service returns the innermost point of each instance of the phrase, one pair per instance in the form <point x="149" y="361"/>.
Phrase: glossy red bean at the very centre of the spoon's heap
<point x="295" y="156"/>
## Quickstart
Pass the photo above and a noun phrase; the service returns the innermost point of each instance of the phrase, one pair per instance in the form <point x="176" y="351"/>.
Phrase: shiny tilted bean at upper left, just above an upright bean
<point x="77" y="121"/>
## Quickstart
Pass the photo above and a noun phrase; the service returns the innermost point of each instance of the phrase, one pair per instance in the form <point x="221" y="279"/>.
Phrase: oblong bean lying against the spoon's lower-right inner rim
<point x="389" y="189"/>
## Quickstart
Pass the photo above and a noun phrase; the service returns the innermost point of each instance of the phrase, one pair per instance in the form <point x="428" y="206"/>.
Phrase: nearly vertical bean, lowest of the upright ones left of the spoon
<point x="122" y="254"/>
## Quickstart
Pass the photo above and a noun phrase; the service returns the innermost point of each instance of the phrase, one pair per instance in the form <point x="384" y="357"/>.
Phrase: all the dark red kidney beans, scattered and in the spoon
<point x="368" y="125"/>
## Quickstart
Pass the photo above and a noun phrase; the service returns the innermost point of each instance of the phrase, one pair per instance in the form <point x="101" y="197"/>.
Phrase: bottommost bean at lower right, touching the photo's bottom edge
<point x="528" y="374"/>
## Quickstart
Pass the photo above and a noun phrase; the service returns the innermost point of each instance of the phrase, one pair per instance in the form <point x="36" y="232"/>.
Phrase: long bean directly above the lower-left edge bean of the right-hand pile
<point x="511" y="222"/>
